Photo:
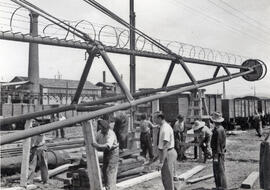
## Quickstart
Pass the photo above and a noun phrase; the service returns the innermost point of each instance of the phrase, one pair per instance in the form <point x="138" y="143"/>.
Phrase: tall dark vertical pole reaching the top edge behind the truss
<point x="132" y="47"/>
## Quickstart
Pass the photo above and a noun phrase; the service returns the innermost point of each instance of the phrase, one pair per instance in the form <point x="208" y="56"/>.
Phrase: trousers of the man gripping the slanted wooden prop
<point x="109" y="168"/>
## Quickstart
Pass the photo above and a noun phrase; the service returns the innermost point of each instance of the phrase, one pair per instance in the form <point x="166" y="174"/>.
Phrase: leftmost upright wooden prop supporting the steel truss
<point x="25" y="156"/>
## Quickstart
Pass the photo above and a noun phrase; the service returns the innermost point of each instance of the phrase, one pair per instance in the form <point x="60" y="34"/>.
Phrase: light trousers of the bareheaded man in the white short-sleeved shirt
<point x="168" y="170"/>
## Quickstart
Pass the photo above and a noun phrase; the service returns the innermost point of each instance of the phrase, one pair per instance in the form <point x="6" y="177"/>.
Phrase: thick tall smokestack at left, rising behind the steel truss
<point x="33" y="62"/>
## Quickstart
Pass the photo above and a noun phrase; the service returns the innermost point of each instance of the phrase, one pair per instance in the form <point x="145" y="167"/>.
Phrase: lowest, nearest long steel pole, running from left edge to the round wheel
<point x="84" y="117"/>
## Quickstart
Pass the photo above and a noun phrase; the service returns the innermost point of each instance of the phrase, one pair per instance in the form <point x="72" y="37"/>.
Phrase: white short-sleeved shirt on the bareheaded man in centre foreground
<point x="166" y="134"/>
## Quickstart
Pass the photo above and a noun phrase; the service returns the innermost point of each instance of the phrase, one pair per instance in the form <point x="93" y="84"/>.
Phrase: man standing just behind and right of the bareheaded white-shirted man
<point x="179" y="136"/>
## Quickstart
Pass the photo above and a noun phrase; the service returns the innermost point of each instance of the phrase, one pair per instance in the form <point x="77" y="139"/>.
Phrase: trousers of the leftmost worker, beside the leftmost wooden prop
<point x="38" y="158"/>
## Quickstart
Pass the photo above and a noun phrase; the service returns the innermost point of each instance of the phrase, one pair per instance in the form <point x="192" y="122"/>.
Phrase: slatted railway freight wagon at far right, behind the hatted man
<point x="239" y="111"/>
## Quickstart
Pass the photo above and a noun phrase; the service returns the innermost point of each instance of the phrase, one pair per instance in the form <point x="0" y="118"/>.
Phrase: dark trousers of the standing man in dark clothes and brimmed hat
<point x="219" y="171"/>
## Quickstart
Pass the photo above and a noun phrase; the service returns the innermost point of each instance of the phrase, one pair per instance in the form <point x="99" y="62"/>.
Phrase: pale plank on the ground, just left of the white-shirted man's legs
<point x="137" y="180"/>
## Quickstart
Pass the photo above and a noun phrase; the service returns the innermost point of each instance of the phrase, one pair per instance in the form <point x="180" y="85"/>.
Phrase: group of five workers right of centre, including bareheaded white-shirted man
<point x="171" y="145"/>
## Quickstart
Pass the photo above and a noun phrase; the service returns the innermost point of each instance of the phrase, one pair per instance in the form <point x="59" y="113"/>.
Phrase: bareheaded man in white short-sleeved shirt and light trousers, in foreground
<point x="167" y="153"/>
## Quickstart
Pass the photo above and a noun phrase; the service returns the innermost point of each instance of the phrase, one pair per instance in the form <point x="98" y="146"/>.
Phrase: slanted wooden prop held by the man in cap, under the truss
<point x="93" y="169"/>
